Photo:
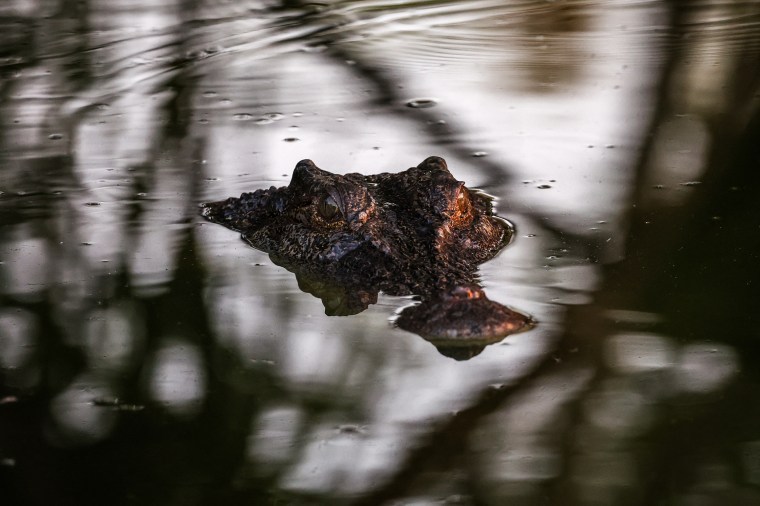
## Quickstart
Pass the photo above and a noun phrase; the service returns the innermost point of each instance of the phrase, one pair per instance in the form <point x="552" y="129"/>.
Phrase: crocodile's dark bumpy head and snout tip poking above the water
<point x="417" y="232"/>
